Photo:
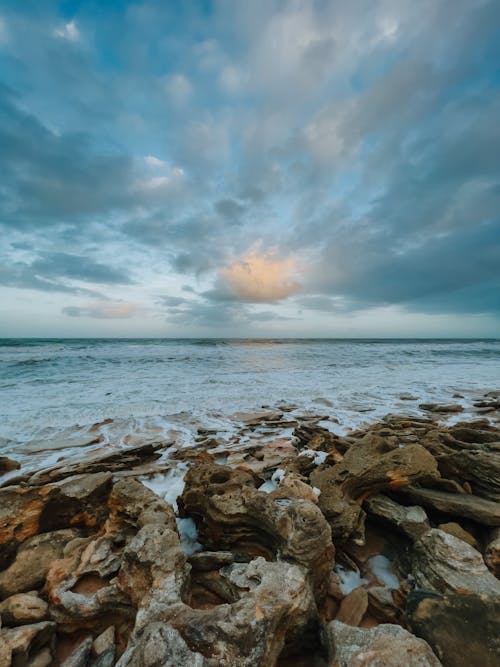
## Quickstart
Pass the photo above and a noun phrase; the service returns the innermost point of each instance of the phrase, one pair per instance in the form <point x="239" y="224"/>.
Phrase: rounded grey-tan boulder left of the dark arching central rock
<point x="154" y="564"/>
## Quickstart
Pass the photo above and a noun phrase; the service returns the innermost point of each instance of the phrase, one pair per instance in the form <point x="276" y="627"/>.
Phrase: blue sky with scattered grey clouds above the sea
<point x="251" y="168"/>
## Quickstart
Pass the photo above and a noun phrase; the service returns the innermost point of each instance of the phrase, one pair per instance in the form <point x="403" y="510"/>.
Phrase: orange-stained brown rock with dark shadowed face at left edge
<point x="27" y="511"/>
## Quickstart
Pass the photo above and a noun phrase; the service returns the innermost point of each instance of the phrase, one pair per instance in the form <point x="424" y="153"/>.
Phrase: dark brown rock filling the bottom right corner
<point x="463" y="630"/>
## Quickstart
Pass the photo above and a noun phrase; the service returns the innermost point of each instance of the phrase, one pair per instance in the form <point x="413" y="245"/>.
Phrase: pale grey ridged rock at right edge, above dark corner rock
<point x="445" y="564"/>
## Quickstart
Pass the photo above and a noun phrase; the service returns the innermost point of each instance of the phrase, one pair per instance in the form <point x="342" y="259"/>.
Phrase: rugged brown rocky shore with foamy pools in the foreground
<point x="303" y="548"/>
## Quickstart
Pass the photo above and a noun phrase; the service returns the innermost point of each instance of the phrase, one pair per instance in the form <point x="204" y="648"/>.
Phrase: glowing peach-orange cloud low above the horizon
<point x="260" y="278"/>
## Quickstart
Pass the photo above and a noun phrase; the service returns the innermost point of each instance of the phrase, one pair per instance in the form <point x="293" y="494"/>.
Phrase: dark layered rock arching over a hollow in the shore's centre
<point x="230" y="513"/>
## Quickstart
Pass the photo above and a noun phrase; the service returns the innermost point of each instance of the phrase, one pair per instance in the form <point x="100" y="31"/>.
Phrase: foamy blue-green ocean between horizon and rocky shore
<point x="151" y="388"/>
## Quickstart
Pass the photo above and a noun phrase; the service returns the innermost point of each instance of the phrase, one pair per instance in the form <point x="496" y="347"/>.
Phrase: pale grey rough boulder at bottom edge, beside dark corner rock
<point x="383" y="646"/>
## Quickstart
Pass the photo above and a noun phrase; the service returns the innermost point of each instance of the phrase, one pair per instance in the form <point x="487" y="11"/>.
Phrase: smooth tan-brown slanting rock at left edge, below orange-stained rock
<point x="32" y="562"/>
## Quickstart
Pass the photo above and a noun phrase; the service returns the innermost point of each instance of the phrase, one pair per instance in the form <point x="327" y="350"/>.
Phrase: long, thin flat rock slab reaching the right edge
<point x="456" y="504"/>
